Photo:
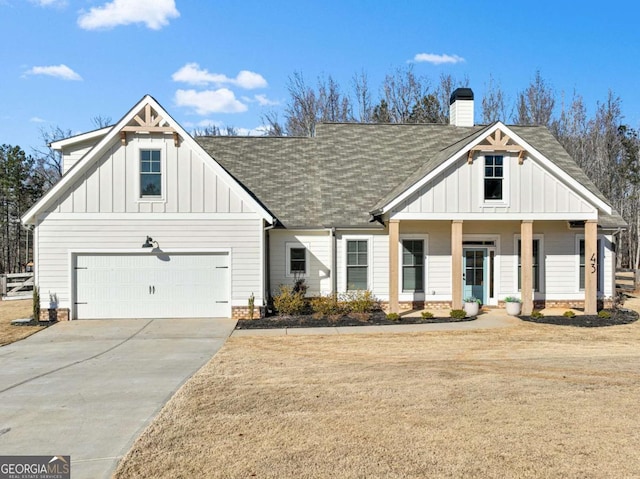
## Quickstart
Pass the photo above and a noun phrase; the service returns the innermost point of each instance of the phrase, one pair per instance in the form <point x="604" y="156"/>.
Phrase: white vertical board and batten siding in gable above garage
<point x="111" y="185"/>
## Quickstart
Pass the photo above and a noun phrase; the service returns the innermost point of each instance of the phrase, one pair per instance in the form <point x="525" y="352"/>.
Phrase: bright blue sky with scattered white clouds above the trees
<point x="64" y="62"/>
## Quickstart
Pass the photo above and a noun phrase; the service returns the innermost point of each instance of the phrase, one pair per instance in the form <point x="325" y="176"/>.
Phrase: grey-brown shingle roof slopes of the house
<point x="350" y="169"/>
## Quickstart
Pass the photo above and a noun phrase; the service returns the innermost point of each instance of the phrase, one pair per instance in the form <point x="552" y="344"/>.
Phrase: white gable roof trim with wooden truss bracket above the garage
<point x="107" y="140"/>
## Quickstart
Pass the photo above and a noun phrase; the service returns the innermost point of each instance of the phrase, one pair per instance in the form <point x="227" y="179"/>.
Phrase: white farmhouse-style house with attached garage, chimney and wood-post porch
<point x="148" y="221"/>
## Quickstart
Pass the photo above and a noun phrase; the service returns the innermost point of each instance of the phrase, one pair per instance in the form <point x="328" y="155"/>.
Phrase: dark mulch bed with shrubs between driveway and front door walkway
<point x="363" y="319"/>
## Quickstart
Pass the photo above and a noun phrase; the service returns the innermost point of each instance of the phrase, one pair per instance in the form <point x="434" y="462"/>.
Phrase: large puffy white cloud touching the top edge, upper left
<point x="155" y="14"/>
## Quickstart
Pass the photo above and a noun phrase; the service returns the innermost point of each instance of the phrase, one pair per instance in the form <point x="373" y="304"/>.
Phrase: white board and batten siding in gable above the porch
<point x="528" y="188"/>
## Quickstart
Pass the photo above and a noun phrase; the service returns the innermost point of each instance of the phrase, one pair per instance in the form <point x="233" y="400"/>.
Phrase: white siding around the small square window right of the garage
<point x="318" y="245"/>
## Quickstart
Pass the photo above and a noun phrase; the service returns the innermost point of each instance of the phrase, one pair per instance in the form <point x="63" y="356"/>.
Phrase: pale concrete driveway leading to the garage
<point x="88" y="388"/>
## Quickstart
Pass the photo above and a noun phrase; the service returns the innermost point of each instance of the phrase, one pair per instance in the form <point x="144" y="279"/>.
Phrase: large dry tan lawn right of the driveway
<point x="529" y="401"/>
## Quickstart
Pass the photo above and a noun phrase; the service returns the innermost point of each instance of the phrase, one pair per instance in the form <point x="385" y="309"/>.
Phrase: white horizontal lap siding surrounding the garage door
<point x="57" y="238"/>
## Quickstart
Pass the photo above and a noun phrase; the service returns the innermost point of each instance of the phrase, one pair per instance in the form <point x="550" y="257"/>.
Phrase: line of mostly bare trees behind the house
<point x="602" y="144"/>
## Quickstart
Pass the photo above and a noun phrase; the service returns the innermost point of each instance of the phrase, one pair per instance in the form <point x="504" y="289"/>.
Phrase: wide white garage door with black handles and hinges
<point x="152" y="286"/>
